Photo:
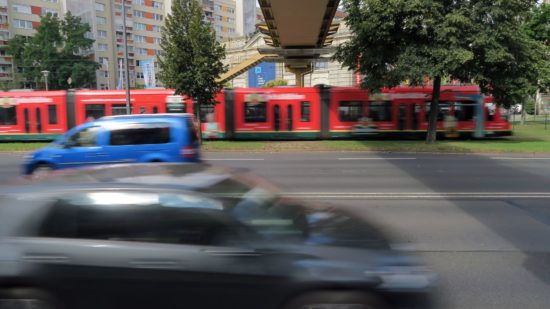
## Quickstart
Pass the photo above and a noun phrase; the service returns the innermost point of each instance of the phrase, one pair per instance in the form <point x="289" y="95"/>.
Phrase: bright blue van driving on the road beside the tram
<point x="120" y="139"/>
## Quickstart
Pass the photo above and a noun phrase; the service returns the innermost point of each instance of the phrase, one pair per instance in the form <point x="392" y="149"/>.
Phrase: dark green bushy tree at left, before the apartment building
<point x="58" y="46"/>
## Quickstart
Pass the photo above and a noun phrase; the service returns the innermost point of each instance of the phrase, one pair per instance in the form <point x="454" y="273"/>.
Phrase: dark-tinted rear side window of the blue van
<point x="155" y="133"/>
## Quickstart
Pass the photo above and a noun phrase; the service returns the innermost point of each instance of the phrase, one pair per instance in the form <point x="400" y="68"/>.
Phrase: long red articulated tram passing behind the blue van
<point x="264" y="113"/>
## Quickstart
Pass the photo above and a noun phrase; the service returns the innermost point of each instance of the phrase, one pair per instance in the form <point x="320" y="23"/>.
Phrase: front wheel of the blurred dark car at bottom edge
<point x="335" y="300"/>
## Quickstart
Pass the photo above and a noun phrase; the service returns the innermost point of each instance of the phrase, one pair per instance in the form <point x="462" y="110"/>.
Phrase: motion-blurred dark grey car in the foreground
<point x="191" y="236"/>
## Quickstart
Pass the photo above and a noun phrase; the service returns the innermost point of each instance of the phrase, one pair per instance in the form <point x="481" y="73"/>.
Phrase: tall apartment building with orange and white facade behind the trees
<point x="144" y="20"/>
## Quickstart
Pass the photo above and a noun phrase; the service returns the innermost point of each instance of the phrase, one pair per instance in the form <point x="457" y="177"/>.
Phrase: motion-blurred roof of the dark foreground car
<point x="147" y="176"/>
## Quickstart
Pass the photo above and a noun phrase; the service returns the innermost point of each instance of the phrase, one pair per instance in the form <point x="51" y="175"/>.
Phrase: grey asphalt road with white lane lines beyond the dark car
<point x="482" y="222"/>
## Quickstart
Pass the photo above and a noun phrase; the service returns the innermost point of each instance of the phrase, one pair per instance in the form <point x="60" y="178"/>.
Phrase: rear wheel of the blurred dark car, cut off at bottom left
<point x="26" y="298"/>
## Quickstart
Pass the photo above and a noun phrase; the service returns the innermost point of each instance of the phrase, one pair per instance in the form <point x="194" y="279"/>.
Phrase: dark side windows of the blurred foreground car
<point x="141" y="217"/>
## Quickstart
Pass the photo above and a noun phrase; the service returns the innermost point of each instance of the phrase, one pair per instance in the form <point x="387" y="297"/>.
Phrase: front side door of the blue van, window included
<point x="83" y="148"/>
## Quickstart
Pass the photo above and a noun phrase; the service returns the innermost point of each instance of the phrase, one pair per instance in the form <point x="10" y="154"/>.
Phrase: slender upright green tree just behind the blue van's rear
<point x="191" y="58"/>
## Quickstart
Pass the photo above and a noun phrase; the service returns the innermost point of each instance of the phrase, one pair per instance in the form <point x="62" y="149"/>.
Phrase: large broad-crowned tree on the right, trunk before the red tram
<point x="397" y="40"/>
